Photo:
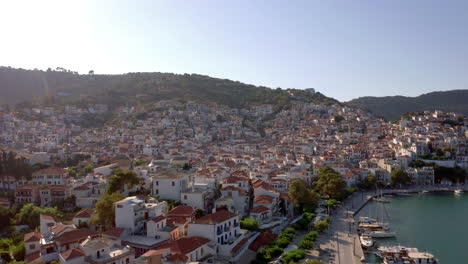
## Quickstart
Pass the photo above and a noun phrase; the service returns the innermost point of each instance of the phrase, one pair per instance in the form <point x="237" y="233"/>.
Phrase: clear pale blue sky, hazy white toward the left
<point x="342" y="48"/>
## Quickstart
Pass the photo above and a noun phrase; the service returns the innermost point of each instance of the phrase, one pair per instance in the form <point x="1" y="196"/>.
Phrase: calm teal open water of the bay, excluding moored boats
<point x="436" y="222"/>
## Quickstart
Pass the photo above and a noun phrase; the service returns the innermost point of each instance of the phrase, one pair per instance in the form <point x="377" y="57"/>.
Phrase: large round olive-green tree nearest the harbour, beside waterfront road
<point x="330" y="183"/>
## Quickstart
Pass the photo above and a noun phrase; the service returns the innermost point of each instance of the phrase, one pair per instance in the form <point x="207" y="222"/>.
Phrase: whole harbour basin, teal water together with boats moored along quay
<point x="395" y="226"/>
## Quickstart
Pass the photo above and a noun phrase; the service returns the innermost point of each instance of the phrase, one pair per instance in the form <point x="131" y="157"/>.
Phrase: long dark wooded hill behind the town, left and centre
<point x="65" y="87"/>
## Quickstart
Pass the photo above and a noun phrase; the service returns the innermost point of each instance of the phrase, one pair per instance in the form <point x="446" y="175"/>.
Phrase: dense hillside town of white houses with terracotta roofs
<point x="185" y="182"/>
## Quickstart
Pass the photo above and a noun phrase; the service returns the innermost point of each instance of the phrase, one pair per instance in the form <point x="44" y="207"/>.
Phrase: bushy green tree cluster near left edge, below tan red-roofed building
<point x="30" y="215"/>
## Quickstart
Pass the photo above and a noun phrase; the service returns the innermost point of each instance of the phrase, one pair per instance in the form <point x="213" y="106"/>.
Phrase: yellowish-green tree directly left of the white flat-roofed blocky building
<point x="105" y="211"/>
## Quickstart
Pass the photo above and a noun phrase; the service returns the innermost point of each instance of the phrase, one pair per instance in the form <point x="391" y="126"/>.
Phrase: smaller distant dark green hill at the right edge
<point x="393" y="107"/>
